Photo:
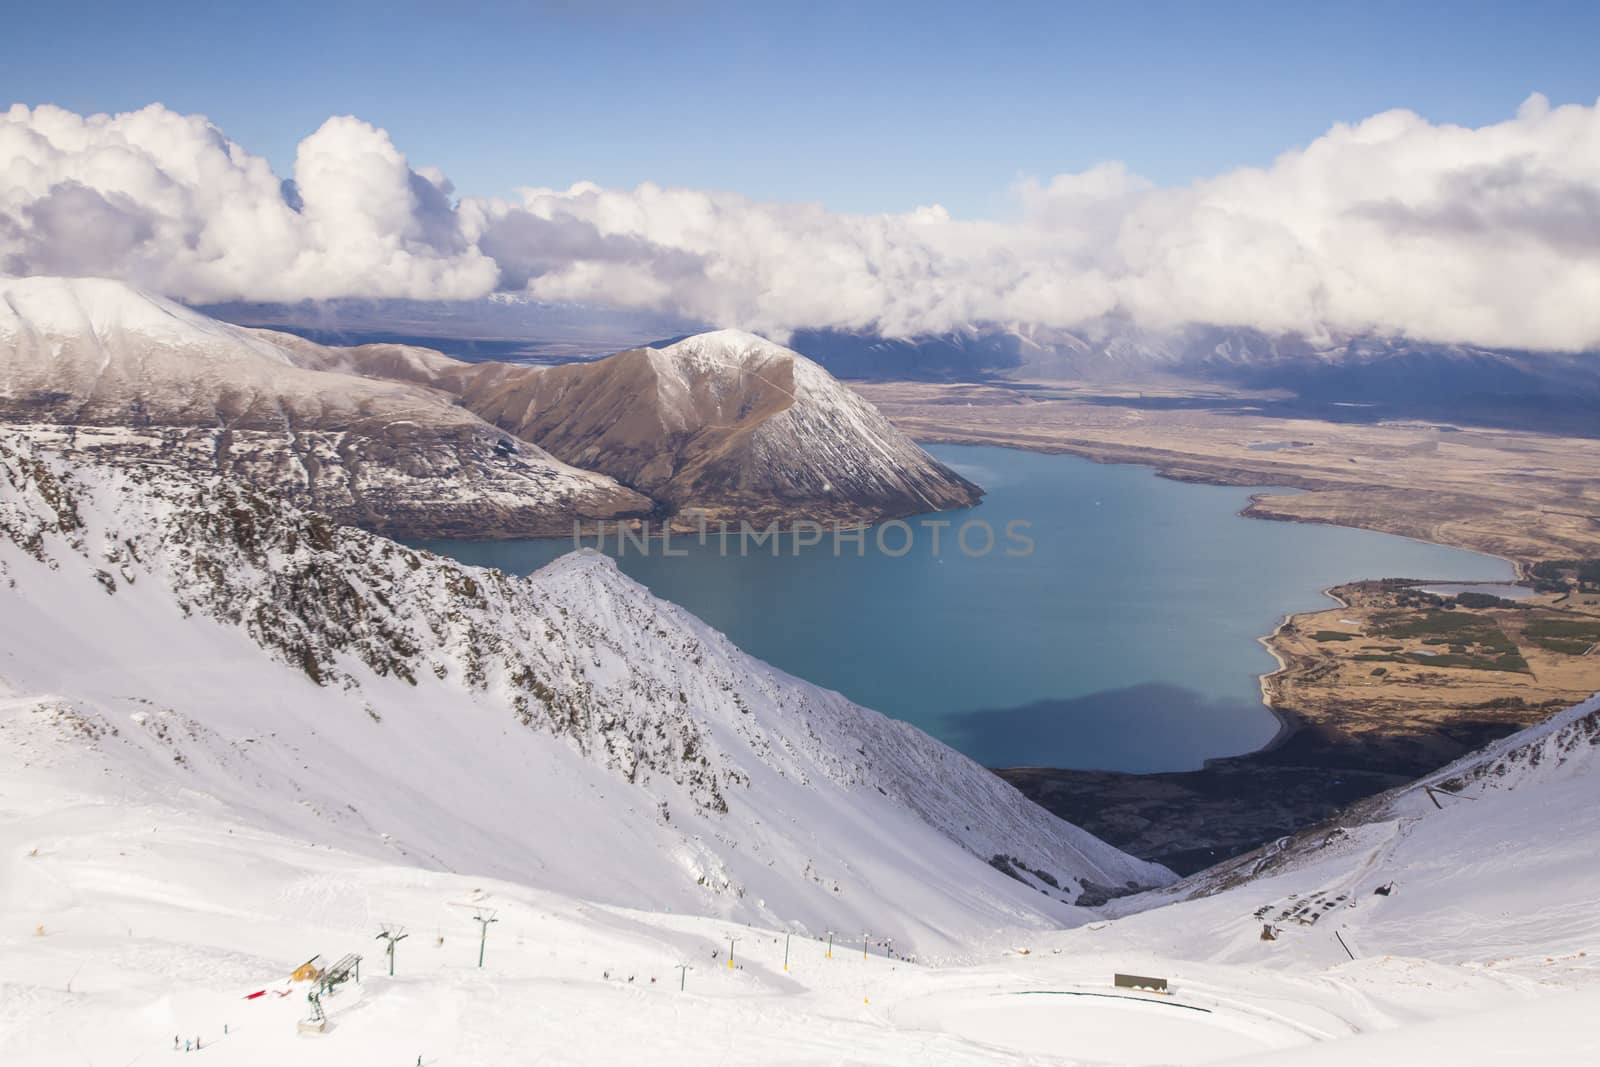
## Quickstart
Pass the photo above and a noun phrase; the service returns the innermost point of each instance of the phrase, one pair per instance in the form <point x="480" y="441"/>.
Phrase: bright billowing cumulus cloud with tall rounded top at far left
<point x="169" y="202"/>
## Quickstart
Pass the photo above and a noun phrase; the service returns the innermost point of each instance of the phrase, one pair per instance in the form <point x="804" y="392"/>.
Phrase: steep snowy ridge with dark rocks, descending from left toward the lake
<point x="190" y="637"/>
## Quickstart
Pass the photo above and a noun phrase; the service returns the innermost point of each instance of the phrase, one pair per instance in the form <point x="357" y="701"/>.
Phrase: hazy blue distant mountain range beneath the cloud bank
<point x="1394" y="375"/>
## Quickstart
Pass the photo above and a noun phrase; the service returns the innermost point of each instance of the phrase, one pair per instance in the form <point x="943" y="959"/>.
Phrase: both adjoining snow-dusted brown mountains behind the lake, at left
<point x="402" y="439"/>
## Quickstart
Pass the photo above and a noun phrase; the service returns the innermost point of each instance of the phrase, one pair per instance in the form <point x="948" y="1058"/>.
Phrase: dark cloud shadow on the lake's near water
<point x="1153" y="727"/>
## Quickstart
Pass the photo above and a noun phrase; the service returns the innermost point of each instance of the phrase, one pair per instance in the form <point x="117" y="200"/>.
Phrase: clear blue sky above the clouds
<point x="865" y="108"/>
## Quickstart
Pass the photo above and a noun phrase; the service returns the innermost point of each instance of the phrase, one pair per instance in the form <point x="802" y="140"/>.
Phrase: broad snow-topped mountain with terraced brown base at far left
<point x="130" y="377"/>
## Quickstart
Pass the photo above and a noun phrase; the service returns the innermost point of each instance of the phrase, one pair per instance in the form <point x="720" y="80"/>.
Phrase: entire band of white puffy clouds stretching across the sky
<point x="1390" y="226"/>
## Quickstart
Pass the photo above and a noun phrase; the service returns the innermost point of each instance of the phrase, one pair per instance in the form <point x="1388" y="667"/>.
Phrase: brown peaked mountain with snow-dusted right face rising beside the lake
<point x="726" y="422"/>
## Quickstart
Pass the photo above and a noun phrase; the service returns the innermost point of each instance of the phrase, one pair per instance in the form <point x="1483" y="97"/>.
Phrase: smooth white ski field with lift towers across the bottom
<point x="130" y="916"/>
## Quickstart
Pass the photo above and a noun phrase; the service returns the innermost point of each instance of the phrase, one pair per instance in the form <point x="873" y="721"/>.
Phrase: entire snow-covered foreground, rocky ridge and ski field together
<point x="234" y="737"/>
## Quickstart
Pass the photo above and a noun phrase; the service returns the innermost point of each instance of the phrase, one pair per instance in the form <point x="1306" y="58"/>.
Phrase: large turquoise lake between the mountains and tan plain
<point x="1126" y="641"/>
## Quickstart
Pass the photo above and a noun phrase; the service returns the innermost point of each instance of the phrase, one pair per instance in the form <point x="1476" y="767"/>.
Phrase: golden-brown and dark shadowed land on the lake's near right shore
<point x="1354" y="721"/>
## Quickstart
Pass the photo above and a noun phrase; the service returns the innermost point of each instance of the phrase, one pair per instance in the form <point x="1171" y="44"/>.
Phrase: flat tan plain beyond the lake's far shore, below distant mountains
<point x="1516" y="495"/>
